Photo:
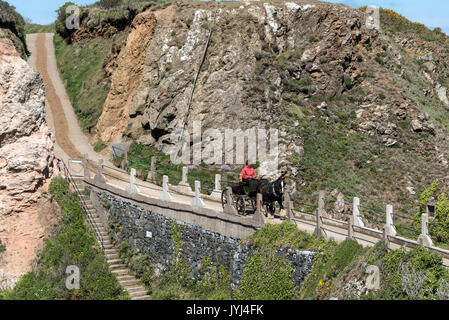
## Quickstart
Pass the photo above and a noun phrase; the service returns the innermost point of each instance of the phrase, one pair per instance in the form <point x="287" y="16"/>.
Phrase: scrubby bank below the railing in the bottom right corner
<point x="341" y="272"/>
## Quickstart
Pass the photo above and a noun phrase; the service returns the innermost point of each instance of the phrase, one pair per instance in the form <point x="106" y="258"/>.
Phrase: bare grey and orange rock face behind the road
<point x="263" y="61"/>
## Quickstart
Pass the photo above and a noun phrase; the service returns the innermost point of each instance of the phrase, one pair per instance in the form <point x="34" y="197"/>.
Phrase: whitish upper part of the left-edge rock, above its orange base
<point x="26" y="145"/>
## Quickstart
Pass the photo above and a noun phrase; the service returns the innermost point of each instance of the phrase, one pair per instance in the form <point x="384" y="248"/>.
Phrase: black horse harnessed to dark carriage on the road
<point x="244" y="195"/>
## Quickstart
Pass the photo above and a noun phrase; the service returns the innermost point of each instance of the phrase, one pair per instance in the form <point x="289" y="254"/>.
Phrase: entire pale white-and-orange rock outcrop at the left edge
<point x="26" y="164"/>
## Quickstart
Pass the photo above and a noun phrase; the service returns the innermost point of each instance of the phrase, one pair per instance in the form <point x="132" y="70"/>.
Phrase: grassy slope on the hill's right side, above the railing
<point x="337" y="156"/>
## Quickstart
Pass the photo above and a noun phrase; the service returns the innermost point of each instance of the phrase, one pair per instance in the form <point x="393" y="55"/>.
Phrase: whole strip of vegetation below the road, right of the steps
<point x="339" y="271"/>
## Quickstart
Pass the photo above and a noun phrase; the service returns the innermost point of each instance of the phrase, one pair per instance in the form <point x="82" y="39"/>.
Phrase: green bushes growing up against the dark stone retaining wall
<point x="268" y="275"/>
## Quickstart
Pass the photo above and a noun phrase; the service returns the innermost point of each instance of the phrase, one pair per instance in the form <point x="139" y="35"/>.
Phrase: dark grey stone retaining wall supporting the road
<point x="151" y="233"/>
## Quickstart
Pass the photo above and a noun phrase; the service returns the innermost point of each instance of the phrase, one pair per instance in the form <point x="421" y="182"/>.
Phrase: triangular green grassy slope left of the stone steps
<point x="75" y="244"/>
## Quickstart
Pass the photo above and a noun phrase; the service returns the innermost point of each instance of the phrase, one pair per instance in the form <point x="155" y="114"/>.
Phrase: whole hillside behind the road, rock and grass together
<point x="359" y="112"/>
